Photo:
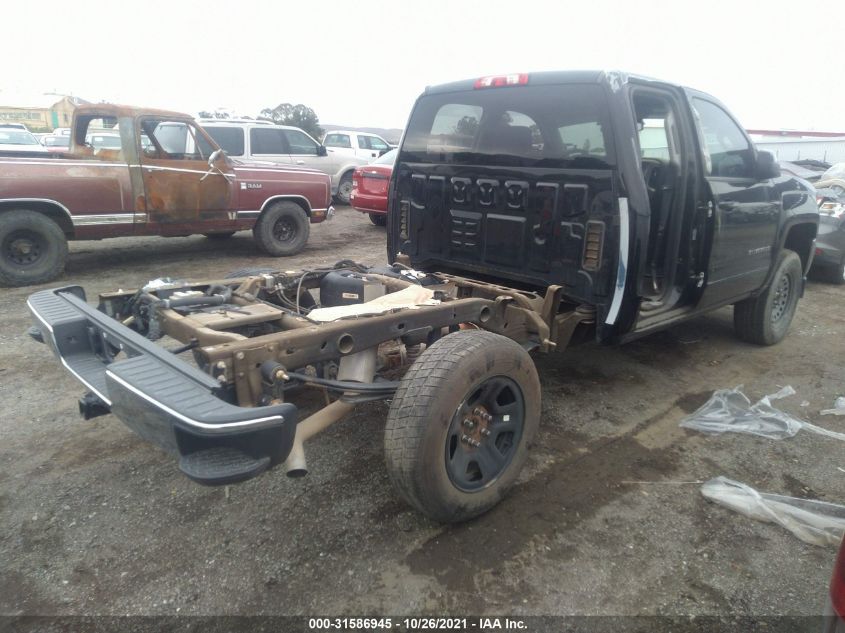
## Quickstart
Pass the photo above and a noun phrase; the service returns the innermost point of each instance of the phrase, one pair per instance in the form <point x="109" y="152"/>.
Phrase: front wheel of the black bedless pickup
<point x="765" y="319"/>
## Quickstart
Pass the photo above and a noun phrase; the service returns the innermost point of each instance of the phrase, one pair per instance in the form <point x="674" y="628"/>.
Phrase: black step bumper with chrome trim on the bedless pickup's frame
<point x="161" y="398"/>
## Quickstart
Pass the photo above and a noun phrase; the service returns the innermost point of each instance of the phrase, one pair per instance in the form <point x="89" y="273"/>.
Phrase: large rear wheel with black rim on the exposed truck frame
<point x="429" y="462"/>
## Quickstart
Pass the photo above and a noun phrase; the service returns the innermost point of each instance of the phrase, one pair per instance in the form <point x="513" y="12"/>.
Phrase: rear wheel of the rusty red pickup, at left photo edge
<point x="33" y="248"/>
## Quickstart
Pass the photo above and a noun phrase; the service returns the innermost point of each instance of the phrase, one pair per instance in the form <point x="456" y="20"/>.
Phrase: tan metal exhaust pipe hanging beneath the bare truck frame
<point x="360" y="367"/>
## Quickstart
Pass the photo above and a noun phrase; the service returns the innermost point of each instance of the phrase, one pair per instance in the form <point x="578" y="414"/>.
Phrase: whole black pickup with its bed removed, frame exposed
<point x="527" y="212"/>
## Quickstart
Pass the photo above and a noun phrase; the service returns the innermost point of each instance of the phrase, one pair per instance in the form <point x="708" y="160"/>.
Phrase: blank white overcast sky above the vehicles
<point x="362" y="63"/>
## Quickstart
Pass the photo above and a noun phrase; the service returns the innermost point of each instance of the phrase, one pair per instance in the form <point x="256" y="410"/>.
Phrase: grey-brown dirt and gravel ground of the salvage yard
<point x="607" y="517"/>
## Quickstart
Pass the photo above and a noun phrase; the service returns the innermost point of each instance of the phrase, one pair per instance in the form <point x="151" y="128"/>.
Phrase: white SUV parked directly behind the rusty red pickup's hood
<point x="263" y="141"/>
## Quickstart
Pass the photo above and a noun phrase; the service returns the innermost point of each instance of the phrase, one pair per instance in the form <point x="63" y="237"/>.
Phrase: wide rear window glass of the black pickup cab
<point x="530" y="126"/>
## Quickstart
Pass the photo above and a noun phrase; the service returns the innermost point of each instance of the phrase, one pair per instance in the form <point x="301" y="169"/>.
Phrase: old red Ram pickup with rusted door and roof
<point x="167" y="177"/>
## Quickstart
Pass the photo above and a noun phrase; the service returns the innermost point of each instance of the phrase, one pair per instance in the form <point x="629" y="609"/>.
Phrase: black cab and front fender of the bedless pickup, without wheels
<point x="644" y="200"/>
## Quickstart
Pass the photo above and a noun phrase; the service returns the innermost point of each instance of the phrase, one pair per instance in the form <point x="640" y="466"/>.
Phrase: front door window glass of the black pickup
<point x="728" y="151"/>
